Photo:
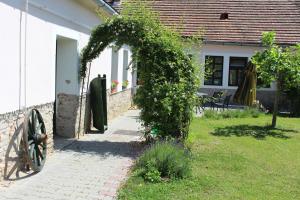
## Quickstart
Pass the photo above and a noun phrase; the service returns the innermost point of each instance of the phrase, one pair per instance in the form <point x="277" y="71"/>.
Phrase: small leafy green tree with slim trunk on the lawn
<point x="278" y="64"/>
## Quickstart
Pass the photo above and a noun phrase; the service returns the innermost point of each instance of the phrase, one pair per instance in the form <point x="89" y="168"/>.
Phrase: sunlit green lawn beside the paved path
<point x="236" y="158"/>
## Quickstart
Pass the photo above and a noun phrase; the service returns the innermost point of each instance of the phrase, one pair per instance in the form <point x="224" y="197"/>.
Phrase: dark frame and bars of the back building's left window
<point x="212" y="76"/>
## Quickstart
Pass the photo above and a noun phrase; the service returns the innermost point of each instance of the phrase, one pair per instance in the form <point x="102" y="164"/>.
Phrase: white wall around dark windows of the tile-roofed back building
<point x="265" y="95"/>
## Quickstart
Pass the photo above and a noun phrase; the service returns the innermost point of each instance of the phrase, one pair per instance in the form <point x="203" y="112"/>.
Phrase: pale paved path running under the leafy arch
<point x="90" y="168"/>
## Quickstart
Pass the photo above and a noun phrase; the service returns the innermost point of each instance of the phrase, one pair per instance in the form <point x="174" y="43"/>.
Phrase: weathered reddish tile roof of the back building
<point x="247" y="19"/>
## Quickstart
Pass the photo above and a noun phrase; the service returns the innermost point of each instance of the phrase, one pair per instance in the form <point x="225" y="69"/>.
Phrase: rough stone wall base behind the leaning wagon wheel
<point x="11" y="131"/>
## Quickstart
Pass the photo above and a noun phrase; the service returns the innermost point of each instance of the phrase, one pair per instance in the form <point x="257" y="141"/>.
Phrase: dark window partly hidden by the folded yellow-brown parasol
<point x="237" y="66"/>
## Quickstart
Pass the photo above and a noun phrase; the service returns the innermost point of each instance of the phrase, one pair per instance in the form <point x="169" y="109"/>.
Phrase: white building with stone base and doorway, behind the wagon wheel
<point x="40" y="50"/>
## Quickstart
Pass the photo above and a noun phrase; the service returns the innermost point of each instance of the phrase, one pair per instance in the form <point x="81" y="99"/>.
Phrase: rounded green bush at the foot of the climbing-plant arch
<point x="163" y="160"/>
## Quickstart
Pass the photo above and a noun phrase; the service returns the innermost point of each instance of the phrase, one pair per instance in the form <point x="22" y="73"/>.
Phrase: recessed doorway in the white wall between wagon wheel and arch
<point x="66" y="87"/>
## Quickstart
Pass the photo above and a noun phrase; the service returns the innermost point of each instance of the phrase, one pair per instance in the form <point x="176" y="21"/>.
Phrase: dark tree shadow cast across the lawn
<point x="258" y="132"/>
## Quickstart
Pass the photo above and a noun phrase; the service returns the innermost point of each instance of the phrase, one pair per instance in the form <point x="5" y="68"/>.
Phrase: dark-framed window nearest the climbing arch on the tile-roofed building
<point x="213" y="70"/>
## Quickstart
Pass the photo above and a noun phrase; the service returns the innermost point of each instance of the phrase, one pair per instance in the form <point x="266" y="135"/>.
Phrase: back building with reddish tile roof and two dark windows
<point x="232" y="33"/>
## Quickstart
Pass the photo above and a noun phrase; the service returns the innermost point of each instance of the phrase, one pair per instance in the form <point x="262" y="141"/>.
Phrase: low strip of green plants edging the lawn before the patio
<point x="249" y="112"/>
